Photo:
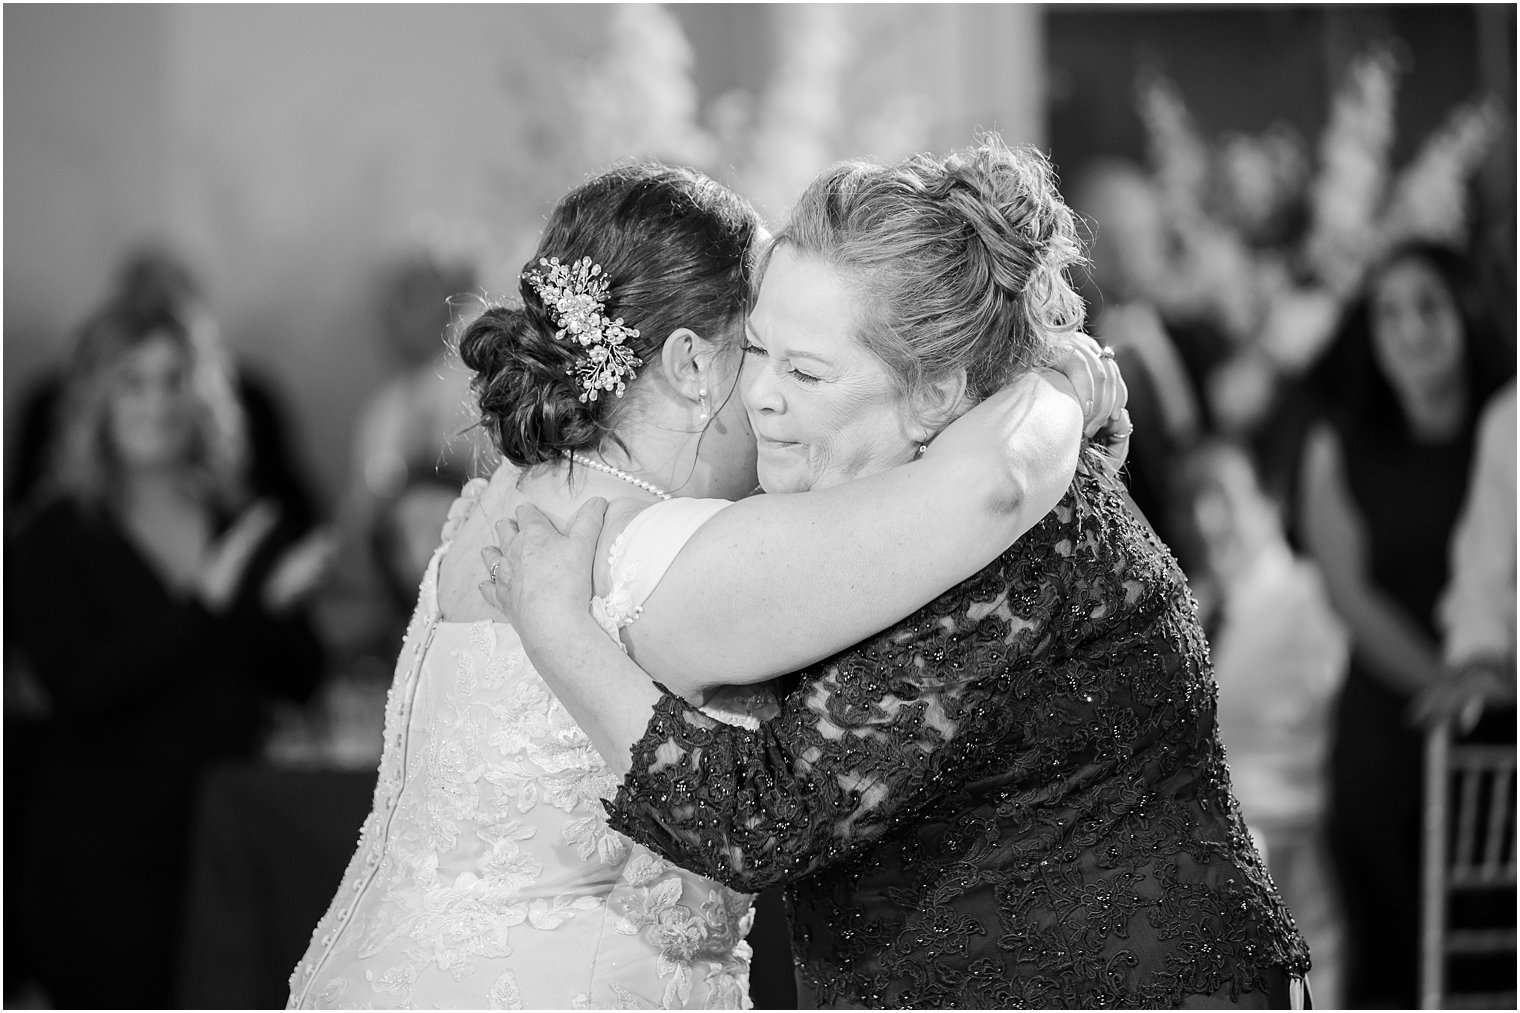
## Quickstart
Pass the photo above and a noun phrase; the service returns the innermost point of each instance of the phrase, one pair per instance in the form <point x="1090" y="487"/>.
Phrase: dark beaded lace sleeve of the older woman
<point x="864" y="745"/>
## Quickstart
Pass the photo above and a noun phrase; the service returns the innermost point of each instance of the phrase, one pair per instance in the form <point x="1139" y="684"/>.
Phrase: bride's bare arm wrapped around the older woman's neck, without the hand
<point x="776" y="583"/>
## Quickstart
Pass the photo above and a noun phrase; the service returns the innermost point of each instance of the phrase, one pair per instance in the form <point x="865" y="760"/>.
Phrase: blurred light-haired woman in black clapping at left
<point x="159" y="606"/>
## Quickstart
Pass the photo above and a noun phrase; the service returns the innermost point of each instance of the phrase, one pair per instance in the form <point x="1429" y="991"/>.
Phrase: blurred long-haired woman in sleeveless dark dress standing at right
<point x="1384" y="474"/>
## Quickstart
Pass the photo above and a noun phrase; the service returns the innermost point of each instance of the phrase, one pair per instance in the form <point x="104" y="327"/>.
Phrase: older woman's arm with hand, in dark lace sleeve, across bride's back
<point x="857" y="751"/>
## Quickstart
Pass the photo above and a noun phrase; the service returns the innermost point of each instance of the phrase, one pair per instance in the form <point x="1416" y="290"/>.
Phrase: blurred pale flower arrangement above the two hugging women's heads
<point x="636" y="98"/>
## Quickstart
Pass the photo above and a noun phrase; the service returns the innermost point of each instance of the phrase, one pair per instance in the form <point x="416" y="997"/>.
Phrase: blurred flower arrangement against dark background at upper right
<point x="1267" y="249"/>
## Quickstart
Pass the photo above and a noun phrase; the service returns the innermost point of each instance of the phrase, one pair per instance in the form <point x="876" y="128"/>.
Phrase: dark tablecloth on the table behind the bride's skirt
<point x="268" y="853"/>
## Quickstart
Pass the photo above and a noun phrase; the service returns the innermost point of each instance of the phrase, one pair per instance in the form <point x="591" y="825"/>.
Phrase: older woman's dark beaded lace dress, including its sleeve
<point x="1015" y="798"/>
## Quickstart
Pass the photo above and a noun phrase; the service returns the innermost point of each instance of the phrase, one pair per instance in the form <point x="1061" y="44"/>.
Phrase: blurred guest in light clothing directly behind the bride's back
<point x="411" y="431"/>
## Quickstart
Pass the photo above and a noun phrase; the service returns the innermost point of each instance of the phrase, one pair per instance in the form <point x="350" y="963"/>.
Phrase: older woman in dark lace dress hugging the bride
<point x="1013" y="798"/>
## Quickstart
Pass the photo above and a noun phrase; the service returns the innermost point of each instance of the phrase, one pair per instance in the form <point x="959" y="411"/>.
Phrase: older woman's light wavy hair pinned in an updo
<point x="960" y="264"/>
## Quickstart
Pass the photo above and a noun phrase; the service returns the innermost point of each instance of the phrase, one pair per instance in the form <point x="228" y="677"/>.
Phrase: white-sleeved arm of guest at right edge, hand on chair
<point x="1478" y="609"/>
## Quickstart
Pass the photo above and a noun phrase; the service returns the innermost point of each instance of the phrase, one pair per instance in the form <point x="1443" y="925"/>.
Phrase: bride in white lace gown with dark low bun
<point x="486" y="874"/>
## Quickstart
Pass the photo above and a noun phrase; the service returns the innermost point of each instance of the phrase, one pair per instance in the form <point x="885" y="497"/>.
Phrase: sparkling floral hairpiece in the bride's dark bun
<point x="577" y="300"/>
